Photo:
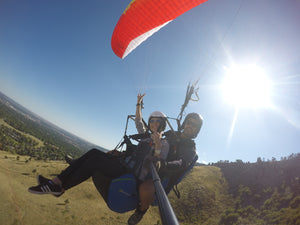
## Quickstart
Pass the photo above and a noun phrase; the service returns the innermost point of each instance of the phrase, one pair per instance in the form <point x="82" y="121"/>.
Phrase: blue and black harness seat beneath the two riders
<point x="121" y="194"/>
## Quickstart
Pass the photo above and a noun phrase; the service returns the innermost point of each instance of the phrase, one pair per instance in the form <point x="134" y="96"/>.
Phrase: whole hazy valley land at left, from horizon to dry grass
<point x="23" y="132"/>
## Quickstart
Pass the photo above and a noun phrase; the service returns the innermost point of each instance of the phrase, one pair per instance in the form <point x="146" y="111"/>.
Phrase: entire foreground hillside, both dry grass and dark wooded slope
<point x="206" y="196"/>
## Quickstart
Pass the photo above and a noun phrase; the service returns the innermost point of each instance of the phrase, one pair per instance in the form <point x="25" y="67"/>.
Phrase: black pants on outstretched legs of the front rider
<point x="89" y="163"/>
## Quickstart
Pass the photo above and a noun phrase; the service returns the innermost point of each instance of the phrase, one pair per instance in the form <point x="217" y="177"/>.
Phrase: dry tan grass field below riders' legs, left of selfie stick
<point x="79" y="206"/>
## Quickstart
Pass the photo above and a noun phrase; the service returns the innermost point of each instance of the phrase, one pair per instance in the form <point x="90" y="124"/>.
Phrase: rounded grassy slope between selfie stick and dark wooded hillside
<point x="203" y="197"/>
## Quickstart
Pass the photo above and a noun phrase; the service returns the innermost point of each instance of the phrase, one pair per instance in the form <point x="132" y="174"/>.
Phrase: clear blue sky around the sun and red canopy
<point x="56" y="60"/>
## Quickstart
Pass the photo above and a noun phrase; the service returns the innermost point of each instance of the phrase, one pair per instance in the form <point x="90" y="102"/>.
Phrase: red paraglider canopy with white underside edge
<point x="142" y="18"/>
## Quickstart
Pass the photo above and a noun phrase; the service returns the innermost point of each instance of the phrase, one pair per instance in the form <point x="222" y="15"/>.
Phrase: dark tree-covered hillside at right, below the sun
<point x="265" y="192"/>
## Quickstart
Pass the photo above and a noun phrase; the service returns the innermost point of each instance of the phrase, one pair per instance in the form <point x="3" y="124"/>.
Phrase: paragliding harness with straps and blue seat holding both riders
<point x="121" y="194"/>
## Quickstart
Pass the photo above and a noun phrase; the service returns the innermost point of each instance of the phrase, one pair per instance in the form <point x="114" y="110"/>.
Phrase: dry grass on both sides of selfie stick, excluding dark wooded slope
<point x="203" y="197"/>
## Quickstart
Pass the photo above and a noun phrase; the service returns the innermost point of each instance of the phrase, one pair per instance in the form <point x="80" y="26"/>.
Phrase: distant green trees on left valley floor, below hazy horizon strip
<point x="15" y="140"/>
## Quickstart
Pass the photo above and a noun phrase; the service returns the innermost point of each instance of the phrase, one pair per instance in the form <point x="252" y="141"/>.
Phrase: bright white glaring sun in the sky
<point x="246" y="86"/>
